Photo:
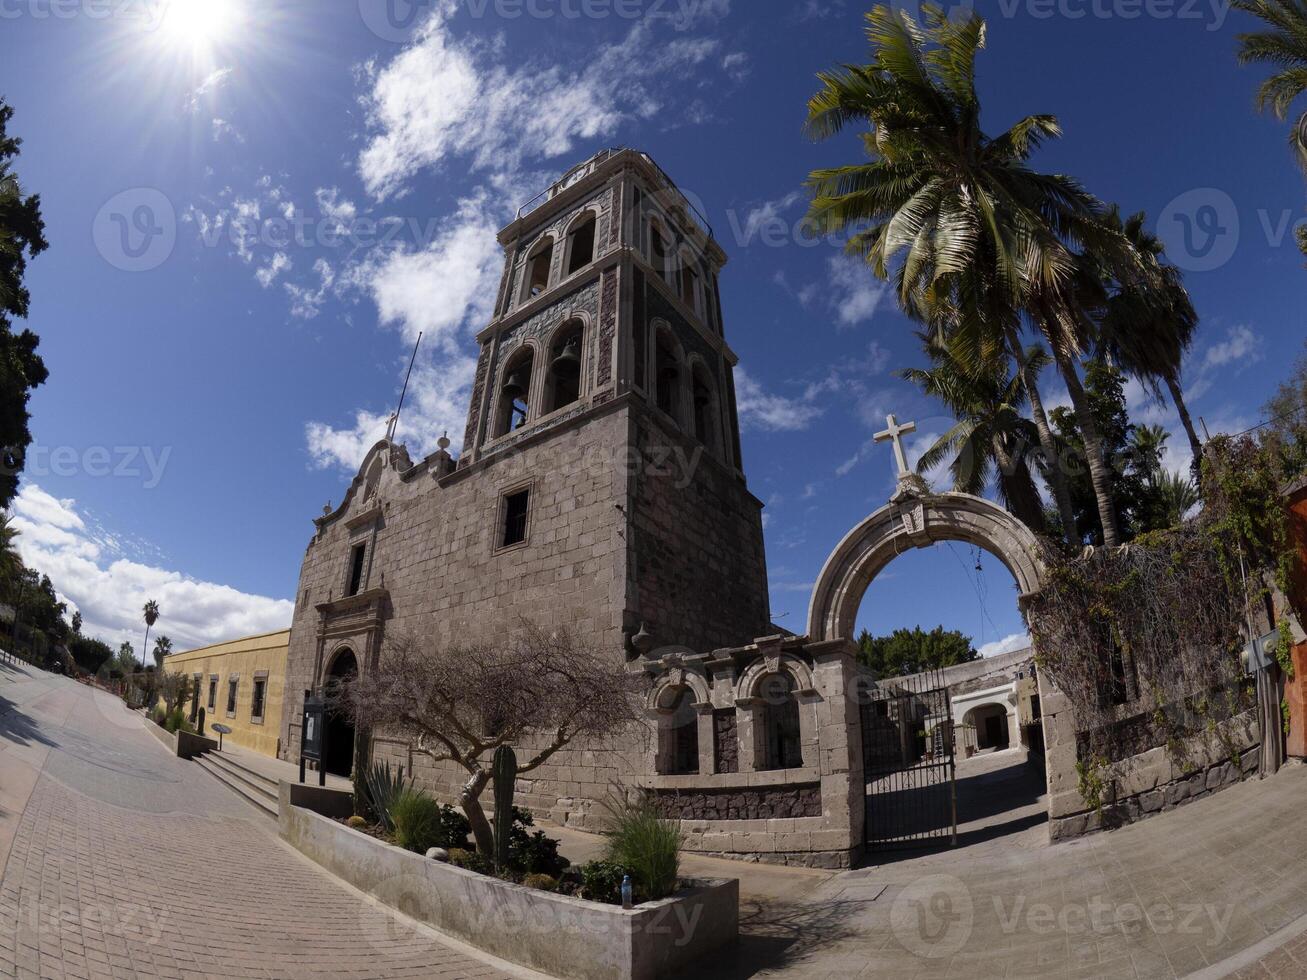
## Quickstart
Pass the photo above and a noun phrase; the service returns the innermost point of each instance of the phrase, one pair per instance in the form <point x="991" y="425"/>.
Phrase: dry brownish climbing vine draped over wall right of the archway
<point x="1146" y="640"/>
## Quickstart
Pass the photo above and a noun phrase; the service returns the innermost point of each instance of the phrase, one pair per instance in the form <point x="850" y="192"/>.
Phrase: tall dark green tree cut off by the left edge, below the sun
<point x="23" y="237"/>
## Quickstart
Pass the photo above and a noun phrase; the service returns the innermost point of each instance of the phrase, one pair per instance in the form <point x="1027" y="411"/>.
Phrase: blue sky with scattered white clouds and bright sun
<point x="254" y="208"/>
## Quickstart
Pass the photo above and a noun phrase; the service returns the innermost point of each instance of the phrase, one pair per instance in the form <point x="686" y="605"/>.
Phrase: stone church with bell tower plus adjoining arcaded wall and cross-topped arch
<point x="601" y="487"/>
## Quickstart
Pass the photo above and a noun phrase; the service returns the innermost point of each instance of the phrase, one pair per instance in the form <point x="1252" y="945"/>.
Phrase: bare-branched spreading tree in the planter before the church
<point x="538" y="692"/>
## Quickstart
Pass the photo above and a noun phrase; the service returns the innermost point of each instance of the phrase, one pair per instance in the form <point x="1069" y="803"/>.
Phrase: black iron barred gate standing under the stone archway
<point x="908" y="762"/>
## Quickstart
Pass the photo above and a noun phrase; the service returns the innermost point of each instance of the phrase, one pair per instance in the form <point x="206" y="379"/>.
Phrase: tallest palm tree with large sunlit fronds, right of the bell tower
<point x="974" y="238"/>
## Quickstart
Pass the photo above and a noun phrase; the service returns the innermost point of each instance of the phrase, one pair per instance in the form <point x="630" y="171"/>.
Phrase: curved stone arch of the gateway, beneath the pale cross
<point x="917" y="522"/>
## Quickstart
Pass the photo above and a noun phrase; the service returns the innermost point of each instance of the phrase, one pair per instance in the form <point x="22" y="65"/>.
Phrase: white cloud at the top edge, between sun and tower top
<point x="444" y="97"/>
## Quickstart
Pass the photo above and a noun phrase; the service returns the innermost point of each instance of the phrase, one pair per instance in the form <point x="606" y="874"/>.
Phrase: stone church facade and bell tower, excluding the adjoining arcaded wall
<point x="638" y="515"/>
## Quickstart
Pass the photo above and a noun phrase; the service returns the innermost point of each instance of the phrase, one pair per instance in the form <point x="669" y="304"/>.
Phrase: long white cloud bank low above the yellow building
<point x="109" y="590"/>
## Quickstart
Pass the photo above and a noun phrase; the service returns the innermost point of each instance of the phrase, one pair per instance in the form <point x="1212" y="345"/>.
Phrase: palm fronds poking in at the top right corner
<point x="1284" y="48"/>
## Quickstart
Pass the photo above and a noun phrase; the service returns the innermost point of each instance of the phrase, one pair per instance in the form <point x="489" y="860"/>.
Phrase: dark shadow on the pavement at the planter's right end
<point x="774" y="935"/>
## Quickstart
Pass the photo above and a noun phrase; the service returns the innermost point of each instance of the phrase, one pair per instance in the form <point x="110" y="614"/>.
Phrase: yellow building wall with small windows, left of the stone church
<point x="244" y="659"/>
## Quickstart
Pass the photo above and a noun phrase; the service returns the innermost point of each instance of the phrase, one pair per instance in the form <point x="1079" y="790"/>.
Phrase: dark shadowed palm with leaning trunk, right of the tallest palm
<point x="1147" y="333"/>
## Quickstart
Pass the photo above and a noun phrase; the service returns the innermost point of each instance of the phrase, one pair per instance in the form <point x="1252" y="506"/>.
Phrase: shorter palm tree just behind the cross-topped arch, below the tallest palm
<point x="991" y="437"/>
